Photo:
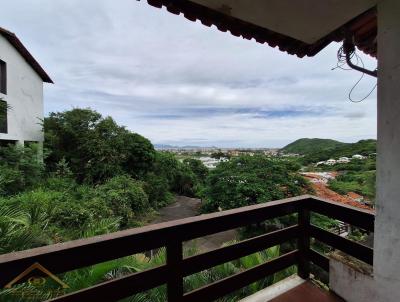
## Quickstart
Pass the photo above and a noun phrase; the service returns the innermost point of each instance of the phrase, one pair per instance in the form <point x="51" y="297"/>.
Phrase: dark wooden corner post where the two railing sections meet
<point x="304" y="243"/>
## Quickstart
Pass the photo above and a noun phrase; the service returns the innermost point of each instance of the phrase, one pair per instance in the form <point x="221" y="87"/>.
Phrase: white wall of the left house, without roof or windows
<point x="24" y="95"/>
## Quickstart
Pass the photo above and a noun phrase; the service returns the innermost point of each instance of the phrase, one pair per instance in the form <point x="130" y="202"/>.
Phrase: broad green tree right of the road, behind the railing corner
<point x="248" y="180"/>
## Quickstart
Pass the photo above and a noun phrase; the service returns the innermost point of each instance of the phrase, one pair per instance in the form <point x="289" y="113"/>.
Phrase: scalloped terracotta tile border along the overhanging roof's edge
<point x="363" y="27"/>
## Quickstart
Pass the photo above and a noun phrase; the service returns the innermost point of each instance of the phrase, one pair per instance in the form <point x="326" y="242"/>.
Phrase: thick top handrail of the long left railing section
<point x="62" y="257"/>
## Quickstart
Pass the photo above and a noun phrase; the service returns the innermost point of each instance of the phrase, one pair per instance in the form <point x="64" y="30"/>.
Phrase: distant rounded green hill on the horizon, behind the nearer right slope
<point x="306" y="146"/>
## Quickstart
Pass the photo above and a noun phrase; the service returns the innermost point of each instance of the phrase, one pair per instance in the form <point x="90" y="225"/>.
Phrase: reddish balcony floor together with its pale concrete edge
<point x="293" y="289"/>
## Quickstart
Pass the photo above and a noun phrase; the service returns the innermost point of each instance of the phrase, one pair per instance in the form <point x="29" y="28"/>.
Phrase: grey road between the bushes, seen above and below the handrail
<point x="185" y="207"/>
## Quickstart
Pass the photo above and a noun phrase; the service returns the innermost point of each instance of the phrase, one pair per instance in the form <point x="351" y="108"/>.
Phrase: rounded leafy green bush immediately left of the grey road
<point x="124" y="196"/>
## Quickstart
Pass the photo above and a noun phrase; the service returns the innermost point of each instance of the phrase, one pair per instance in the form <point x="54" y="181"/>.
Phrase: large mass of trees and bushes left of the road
<point x="96" y="177"/>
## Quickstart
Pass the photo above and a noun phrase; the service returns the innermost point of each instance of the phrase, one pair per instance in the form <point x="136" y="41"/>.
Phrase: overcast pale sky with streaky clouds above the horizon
<point x="181" y="83"/>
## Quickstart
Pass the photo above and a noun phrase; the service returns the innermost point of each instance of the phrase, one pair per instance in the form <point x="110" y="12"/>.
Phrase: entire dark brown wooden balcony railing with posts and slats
<point x="72" y="255"/>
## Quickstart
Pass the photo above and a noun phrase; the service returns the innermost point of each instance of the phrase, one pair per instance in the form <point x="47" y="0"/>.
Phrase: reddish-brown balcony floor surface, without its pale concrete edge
<point x="307" y="292"/>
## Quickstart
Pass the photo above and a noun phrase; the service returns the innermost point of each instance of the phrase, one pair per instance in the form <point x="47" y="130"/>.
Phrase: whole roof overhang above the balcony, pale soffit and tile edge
<point x="293" y="27"/>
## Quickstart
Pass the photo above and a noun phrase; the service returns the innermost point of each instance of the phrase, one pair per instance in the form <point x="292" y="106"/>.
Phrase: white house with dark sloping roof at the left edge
<point x="21" y="92"/>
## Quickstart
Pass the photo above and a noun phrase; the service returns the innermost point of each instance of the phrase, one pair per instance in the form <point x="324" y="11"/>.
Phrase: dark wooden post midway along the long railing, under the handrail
<point x="175" y="276"/>
